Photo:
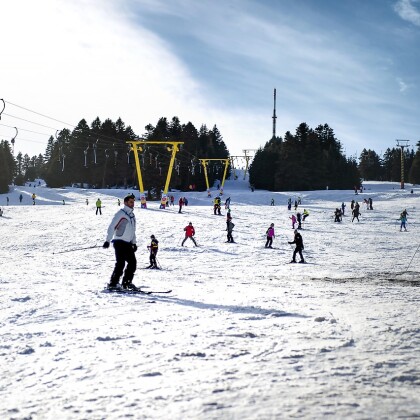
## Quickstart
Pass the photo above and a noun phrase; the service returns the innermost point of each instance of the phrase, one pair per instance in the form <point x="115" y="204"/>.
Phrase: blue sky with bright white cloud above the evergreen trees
<point x="353" y="64"/>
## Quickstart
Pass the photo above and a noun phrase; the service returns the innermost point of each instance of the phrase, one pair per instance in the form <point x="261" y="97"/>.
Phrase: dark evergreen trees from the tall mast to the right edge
<point x="313" y="159"/>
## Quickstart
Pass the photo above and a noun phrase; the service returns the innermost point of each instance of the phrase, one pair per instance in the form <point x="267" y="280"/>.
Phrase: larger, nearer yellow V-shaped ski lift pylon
<point x="136" y="146"/>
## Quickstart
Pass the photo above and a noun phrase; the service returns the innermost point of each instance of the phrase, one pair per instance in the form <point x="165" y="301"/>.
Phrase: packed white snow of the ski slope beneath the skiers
<point x="243" y="334"/>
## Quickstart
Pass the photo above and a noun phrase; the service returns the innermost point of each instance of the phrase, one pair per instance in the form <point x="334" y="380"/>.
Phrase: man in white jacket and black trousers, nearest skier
<point x="122" y="231"/>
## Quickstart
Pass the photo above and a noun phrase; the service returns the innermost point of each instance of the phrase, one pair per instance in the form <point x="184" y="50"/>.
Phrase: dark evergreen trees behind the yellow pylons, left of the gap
<point x="98" y="156"/>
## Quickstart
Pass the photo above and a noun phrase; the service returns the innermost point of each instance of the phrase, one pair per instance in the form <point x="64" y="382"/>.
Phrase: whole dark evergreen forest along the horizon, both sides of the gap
<point x="98" y="156"/>
